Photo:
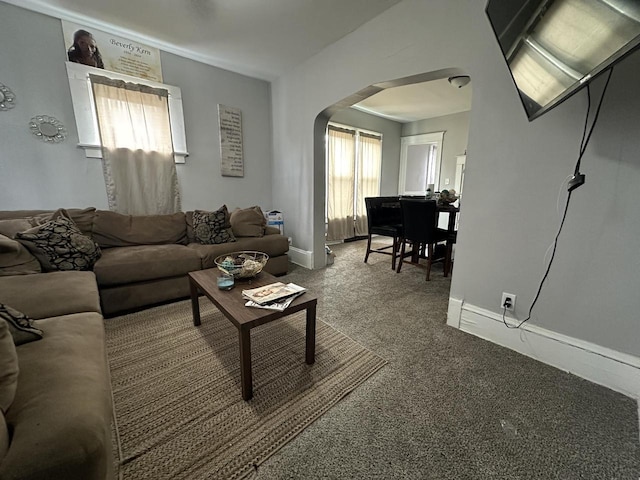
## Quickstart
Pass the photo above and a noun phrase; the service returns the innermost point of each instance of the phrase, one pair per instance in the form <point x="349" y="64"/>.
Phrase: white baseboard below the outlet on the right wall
<point x="615" y="370"/>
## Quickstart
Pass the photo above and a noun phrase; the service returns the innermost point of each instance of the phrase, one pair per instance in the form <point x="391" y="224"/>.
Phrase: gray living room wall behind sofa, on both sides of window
<point x="39" y="175"/>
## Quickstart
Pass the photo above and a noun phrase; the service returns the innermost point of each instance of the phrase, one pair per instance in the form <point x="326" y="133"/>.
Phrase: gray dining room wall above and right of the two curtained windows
<point x="390" y="143"/>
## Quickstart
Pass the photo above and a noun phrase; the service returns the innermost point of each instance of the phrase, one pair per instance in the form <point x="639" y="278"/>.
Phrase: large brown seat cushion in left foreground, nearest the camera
<point x="60" y="417"/>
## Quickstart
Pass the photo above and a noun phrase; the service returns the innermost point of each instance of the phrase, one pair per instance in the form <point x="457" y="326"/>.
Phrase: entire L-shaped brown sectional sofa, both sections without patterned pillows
<point x="58" y="425"/>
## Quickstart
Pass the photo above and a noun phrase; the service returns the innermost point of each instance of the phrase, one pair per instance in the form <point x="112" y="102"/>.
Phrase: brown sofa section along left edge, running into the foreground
<point x="58" y="424"/>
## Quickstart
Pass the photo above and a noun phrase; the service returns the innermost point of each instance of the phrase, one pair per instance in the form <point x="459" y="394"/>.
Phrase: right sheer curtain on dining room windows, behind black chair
<point x="368" y="181"/>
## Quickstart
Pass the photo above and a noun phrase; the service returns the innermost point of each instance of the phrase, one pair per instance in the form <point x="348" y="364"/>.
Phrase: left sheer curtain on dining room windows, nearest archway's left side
<point x="340" y="178"/>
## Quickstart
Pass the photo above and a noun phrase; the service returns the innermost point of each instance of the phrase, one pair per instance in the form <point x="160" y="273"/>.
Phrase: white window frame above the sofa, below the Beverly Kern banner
<point x="85" y="111"/>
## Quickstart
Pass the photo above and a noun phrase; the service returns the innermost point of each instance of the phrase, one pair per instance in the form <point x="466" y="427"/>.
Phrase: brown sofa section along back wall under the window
<point x="145" y="259"/>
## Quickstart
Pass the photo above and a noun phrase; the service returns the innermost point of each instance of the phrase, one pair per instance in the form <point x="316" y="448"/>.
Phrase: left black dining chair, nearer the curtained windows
<point x="384" y="218"/>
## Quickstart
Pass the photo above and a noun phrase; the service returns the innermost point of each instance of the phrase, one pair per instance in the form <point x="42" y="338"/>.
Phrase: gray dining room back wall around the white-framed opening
<point x="456" y="128"/>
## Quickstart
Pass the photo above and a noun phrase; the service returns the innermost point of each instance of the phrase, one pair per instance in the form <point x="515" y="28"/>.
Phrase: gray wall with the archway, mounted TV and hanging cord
<point x="513" y="176"/>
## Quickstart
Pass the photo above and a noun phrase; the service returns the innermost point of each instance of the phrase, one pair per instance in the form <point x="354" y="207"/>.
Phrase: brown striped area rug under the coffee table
<point x="178" y="408"/>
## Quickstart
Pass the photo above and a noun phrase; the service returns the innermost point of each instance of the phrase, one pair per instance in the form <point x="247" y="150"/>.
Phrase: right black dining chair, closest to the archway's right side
<point x="420" y="231"/>
